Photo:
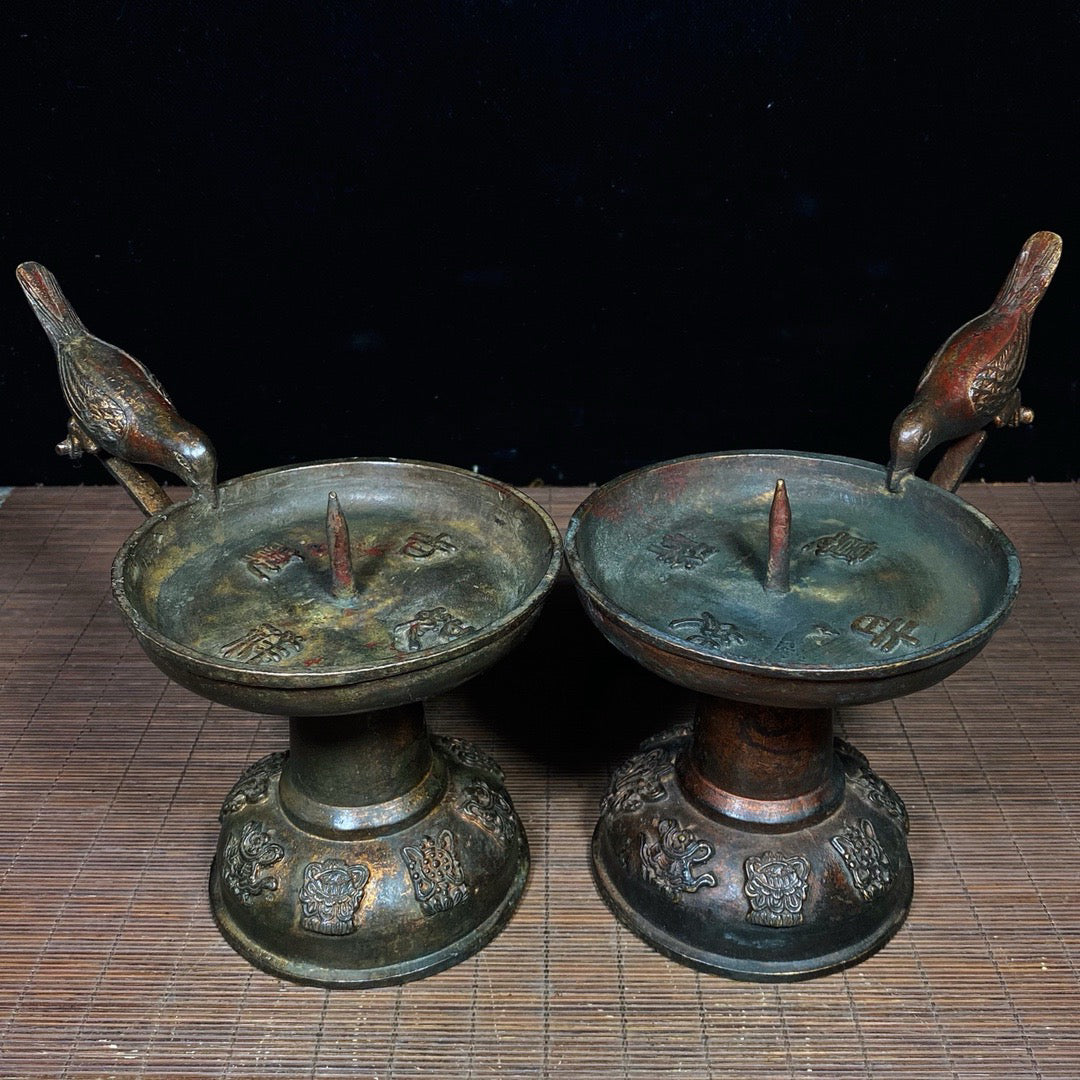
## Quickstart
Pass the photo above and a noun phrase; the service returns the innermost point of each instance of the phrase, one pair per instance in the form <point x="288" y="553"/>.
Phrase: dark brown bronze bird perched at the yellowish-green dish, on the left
<point x="117" y="406"/>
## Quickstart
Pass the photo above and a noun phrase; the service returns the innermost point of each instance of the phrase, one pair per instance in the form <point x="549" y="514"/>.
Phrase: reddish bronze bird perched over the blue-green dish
<point x="973" y="380"/>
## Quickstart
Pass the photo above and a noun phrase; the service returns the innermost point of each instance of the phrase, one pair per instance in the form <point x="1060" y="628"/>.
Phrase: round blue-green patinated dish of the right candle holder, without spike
<point x="888" y="592"/>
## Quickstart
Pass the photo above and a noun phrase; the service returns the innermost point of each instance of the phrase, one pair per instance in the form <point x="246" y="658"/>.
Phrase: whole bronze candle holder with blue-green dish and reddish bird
<point x="779" y="587"/>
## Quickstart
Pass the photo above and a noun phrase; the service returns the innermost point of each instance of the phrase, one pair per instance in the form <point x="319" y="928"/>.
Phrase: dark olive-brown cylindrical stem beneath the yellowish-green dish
<point x="355" y="775"/>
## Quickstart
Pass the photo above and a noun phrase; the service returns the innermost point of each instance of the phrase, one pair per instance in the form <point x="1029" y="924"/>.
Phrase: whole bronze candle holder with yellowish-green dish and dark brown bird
<point x="340" y="595"/>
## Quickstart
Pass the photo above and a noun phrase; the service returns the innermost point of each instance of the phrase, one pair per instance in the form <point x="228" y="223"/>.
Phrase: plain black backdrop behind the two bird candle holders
<point x="551" y="240"/>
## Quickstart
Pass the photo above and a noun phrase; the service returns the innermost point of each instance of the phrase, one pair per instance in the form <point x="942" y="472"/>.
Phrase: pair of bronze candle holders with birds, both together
<point x="778" y="586"/>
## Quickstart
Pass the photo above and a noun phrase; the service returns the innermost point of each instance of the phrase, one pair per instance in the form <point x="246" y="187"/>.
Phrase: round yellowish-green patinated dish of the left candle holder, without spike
<point x="449" y="568"/>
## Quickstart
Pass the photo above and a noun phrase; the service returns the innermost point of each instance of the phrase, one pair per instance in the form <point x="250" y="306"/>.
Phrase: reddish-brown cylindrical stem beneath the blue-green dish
<point x="762" y="765"/>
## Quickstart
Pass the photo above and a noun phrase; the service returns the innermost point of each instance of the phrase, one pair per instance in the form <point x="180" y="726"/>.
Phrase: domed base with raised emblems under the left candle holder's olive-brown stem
<point x="422" y="886"/>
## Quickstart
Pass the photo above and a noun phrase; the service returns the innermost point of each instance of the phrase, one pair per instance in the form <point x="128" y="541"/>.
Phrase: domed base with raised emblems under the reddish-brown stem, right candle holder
<point x="762" y="904"/>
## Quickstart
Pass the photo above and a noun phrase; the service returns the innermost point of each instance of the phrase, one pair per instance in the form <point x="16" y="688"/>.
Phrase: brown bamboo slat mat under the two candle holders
<point x="112" y="778"/>
